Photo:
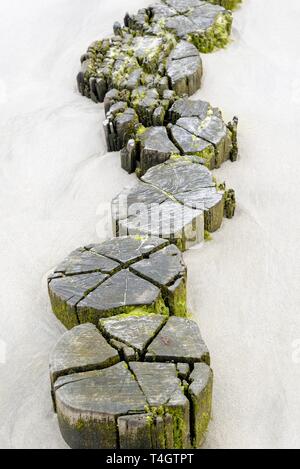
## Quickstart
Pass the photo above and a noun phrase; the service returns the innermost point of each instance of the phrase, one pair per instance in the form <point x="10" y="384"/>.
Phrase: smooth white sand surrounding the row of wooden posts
<point x="55" y="179"/>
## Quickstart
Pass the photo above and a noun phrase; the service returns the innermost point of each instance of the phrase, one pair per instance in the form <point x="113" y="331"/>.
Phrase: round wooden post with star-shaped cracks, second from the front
<point x="123" y="275"/>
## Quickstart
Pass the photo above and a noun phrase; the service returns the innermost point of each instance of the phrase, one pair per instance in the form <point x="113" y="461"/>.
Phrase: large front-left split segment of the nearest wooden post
<point x="87" y="407"/>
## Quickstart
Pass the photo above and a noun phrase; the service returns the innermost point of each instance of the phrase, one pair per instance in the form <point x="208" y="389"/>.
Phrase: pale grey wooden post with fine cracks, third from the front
<point x="178" y="200"/>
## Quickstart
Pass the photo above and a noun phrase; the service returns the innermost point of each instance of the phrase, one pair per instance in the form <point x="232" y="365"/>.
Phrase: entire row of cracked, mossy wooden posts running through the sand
<point x="137" y="377"/>
